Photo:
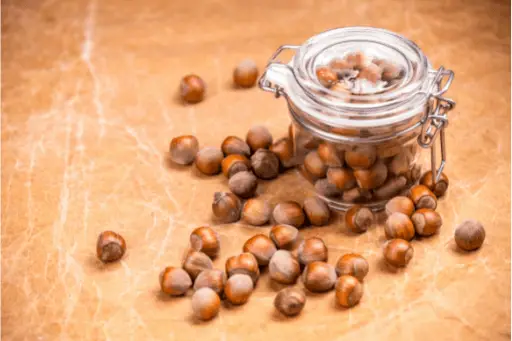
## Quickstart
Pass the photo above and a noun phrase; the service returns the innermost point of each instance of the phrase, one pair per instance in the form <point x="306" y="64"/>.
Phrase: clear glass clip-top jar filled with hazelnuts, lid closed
<point x="363" y="102"/>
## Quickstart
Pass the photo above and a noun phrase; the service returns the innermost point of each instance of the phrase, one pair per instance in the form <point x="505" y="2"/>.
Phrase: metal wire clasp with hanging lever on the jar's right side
<point x="436" y="120"/>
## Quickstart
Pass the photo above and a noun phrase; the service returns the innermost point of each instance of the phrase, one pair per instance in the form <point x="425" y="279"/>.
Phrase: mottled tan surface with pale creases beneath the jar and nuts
<point x="89" y="108"/>
